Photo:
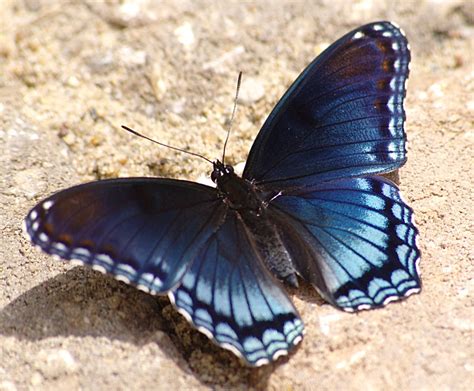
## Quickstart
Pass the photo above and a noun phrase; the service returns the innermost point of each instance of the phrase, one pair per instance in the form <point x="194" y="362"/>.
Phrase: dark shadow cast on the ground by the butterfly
<point x="85" y="303"/>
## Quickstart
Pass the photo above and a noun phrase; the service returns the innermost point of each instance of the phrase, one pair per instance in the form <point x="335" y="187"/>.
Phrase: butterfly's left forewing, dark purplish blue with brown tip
<point x="144" y="231"/>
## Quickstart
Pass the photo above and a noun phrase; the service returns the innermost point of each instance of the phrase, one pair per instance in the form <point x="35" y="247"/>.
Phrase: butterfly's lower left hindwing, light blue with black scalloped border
<point x="230" y="296"/>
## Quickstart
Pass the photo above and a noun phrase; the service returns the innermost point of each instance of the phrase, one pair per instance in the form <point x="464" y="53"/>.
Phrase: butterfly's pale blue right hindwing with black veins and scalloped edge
<point x="353" y="239"/>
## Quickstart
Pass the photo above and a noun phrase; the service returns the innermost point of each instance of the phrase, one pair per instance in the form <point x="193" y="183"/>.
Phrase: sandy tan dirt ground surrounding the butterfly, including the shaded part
<point x="72" y="73"/>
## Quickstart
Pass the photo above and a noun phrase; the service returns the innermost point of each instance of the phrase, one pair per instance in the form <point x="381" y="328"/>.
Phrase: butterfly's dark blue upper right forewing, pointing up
<point x="342" y="117"/>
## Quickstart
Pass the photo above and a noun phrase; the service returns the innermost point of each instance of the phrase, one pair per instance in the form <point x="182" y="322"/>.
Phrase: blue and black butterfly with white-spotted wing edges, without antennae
<point x="310" y="205"/>
